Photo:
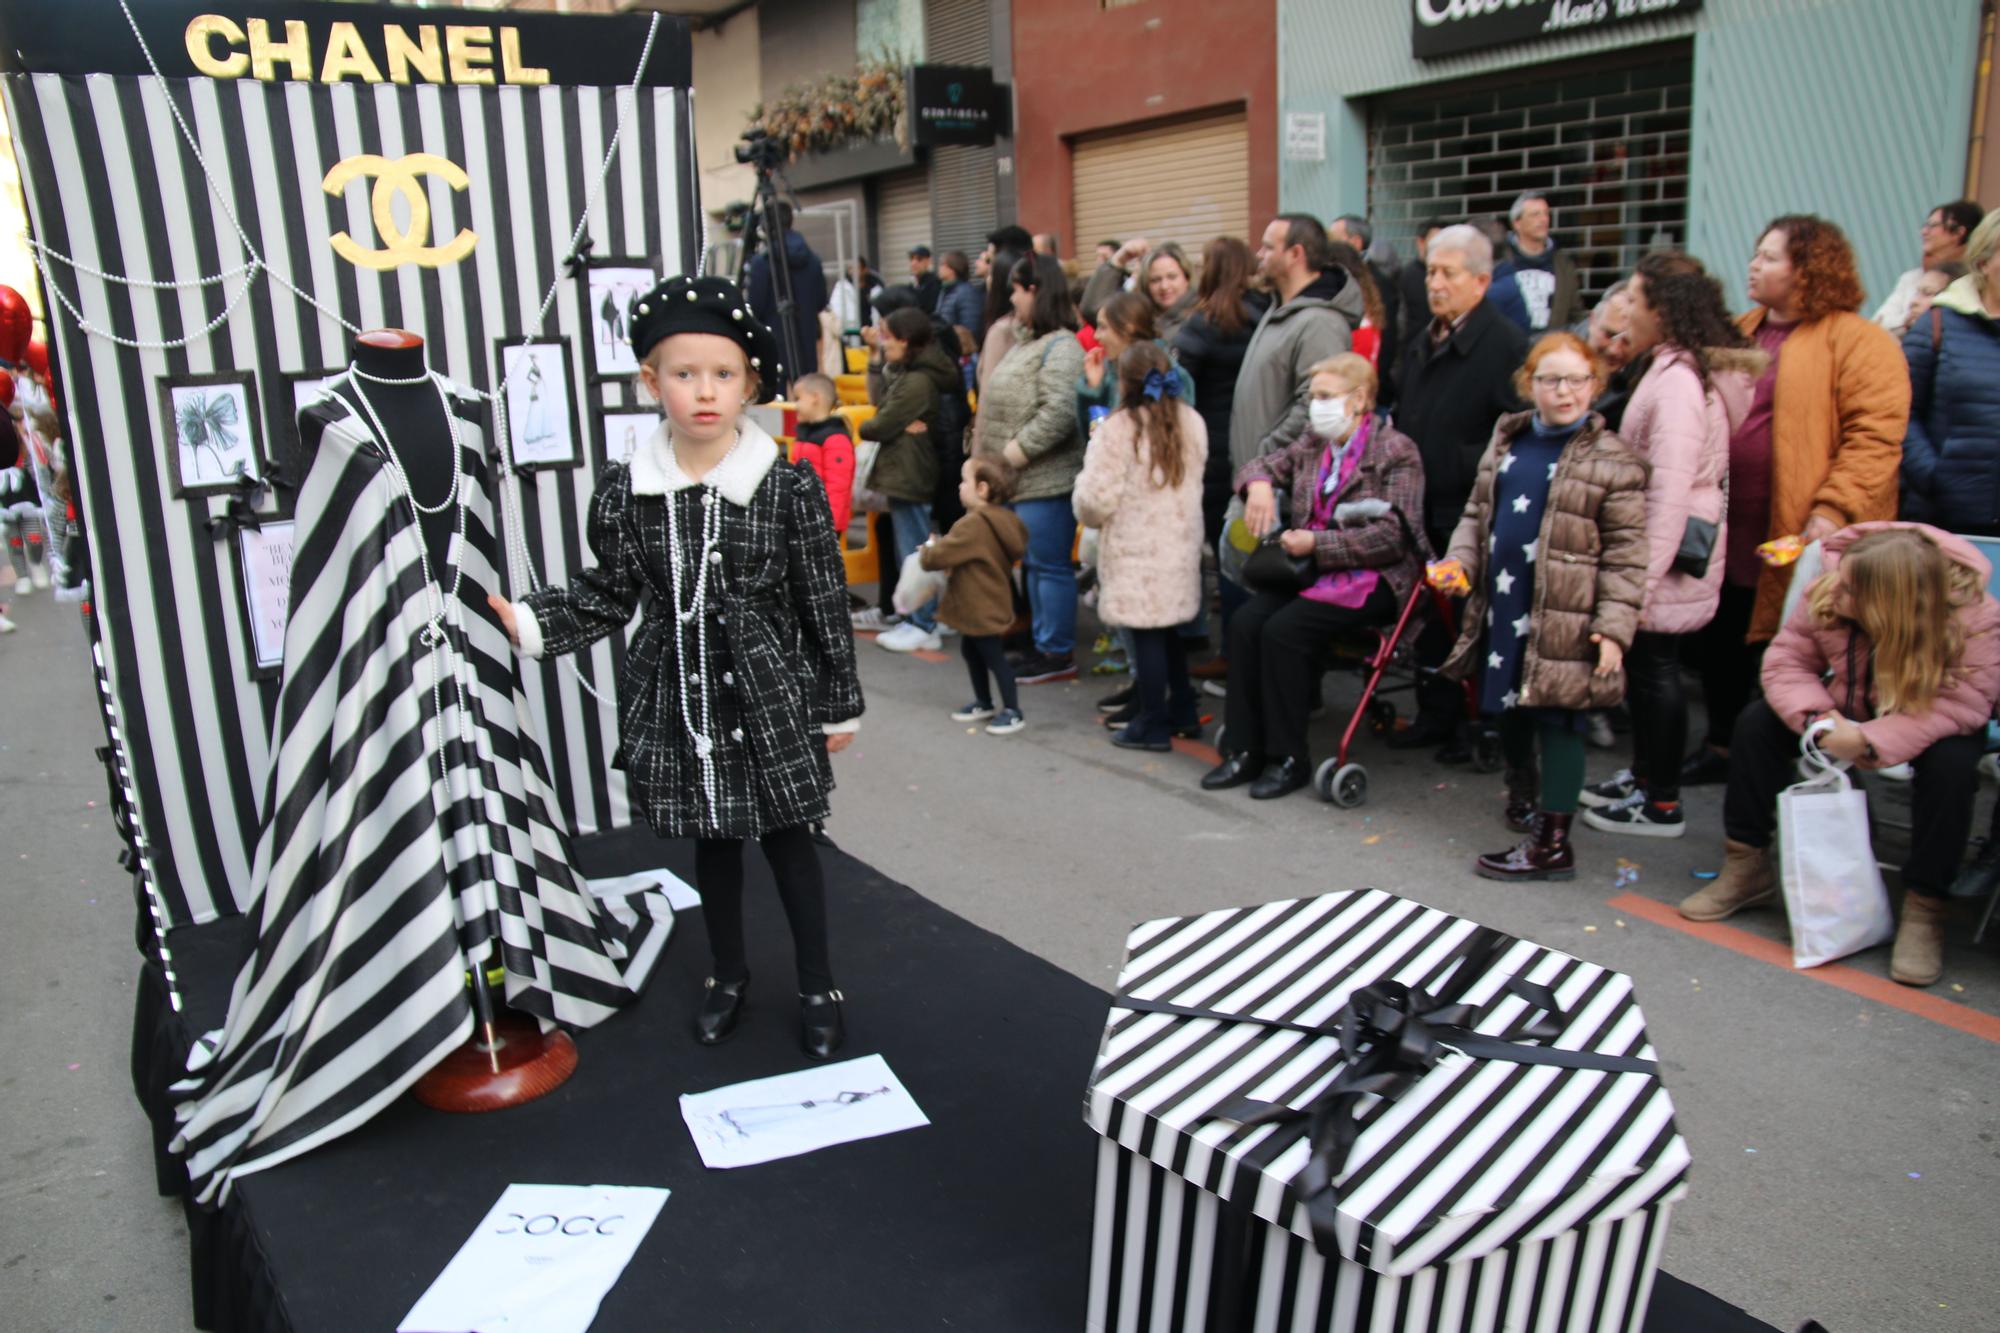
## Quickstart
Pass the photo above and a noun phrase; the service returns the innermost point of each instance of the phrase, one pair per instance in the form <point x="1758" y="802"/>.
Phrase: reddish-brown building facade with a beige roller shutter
<point x="1145" y="119"/>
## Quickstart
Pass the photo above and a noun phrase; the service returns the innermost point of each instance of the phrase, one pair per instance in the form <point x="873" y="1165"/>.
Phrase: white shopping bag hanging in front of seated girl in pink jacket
<point x="1833" y="888"/>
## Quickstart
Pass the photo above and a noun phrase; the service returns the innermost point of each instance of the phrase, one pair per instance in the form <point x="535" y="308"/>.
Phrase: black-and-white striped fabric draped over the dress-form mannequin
<point x="407" y="834"/>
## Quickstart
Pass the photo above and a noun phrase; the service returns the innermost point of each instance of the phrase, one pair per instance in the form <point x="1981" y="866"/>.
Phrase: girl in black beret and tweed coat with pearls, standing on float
<point x="741" y="680"/>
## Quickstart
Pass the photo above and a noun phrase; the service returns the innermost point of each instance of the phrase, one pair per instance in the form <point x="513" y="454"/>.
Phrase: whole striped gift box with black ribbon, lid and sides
<point x="1489" y="1194"/>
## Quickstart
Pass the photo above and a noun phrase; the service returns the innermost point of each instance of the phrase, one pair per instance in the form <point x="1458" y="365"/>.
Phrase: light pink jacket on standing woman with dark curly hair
<point x="1685" y="437"/>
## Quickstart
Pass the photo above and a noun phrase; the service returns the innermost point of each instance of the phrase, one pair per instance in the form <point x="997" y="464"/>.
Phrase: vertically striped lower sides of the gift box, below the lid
<point x="1159" y="1264"/>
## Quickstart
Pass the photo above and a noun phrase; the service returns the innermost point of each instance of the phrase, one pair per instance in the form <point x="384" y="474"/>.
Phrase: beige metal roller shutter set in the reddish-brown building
<point x="1187" y="181"/>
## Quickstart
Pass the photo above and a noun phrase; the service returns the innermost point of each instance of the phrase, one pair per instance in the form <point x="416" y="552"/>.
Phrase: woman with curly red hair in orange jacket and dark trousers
<point x="1817" y="453"/>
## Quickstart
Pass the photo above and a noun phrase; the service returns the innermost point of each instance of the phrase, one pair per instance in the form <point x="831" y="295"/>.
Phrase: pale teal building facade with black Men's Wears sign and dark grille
<point x="1691" y="125"/>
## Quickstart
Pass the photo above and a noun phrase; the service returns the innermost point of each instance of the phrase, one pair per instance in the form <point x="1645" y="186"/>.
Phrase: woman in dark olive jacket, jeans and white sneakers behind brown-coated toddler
<point x="907" y="469"/>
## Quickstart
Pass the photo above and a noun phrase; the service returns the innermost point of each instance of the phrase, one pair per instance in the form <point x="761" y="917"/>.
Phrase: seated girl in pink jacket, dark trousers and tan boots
<point x="1899" y="647"/>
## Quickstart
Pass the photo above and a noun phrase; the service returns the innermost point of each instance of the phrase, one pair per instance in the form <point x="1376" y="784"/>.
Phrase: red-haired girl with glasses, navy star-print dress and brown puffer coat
<point x="1555" y="553"/>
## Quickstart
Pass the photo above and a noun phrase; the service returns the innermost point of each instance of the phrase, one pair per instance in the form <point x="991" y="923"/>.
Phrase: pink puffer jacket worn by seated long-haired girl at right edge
<point x="1799" y="688"/>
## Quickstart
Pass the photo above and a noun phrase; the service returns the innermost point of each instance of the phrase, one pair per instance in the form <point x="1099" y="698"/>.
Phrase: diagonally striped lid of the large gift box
<point x="1473" y="1158"/>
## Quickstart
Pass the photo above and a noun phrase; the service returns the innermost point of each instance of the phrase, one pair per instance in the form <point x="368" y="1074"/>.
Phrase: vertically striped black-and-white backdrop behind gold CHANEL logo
<point x="113" y="185"/>
